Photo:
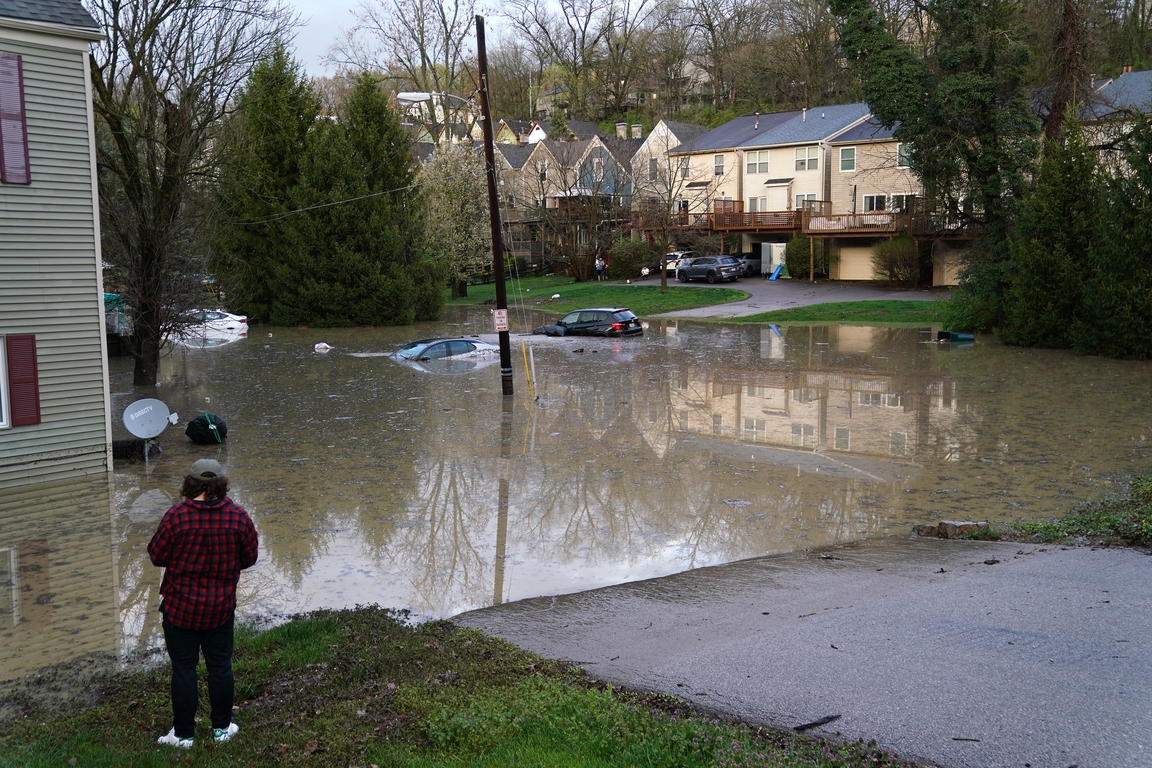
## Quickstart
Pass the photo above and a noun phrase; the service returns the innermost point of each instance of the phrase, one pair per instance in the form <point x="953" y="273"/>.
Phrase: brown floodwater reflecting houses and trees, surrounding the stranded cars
<point x="372" y="482"/>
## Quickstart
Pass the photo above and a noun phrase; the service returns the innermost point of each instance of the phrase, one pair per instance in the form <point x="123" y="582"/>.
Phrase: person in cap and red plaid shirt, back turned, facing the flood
<point x="203" y="544"/>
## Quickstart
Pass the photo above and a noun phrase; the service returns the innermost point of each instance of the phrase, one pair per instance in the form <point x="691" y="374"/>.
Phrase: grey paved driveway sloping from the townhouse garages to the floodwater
<point x="768" y="295"/>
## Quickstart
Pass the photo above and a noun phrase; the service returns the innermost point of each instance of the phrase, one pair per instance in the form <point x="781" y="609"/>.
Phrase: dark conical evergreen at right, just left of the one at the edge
<point x="1050" y="246"/>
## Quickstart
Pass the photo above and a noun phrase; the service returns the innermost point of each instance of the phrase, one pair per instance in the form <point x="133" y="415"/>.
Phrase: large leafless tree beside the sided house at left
<point x="162" y="82"/>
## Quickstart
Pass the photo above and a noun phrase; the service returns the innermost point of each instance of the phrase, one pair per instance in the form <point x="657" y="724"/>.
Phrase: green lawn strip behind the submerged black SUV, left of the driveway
<point x="643" y="298"/>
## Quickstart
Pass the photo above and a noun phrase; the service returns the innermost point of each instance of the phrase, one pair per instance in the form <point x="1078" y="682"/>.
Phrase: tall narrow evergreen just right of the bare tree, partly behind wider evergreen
<point x="263" y="146"/>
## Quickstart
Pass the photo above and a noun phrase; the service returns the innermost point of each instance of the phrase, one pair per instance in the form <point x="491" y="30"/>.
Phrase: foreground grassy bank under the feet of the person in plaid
<point x="363" y="687"/>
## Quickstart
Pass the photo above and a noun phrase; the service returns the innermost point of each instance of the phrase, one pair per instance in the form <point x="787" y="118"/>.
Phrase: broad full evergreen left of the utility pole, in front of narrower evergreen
<point x="358" y="262"/>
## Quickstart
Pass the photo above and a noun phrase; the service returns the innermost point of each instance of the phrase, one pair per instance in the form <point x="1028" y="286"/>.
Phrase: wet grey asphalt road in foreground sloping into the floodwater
<point x="1042" y="659"/>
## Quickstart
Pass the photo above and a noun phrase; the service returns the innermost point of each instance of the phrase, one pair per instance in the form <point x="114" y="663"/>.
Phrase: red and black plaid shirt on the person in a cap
<point x="203" y="546"/>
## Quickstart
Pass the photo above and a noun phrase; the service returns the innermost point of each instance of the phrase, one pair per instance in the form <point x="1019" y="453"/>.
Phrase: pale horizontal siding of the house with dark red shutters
<point x="50" y="273"/>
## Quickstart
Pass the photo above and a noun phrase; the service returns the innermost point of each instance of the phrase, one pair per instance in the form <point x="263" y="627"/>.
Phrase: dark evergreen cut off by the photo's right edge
<point x="1116" y="318"/>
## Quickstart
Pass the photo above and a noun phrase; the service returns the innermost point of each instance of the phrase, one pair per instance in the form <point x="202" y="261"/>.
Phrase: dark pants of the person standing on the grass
<point x="185" y="649"/>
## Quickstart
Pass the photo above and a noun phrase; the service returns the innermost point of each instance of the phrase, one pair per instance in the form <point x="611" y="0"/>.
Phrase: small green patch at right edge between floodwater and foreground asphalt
<point x="1125" y="520"/>
